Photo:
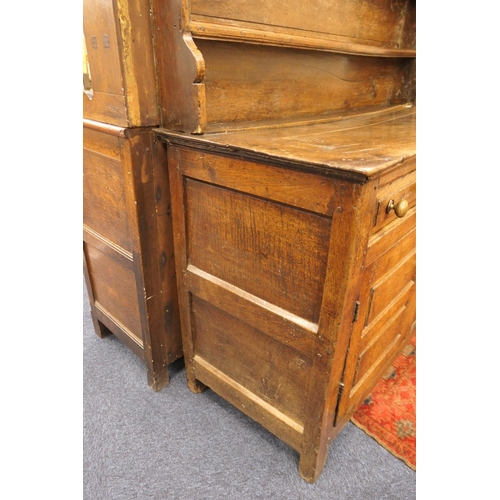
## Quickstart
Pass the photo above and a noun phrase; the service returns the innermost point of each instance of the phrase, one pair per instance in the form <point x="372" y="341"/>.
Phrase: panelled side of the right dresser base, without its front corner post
<point x="253" y="271"/>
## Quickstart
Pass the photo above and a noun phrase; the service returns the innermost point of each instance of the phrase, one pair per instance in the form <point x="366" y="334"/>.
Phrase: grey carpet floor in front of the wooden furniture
<point x="173" y="444"/>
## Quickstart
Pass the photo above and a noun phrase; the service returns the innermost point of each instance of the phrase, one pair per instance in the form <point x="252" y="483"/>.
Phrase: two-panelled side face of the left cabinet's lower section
<point x="107" y="238"/>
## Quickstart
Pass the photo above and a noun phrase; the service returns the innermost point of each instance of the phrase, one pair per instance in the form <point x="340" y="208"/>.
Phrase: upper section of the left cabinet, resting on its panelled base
<point x="119" y="46"/>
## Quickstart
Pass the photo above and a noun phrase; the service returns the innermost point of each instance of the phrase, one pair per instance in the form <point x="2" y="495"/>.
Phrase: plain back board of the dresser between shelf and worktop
<point x="292" y="82"/>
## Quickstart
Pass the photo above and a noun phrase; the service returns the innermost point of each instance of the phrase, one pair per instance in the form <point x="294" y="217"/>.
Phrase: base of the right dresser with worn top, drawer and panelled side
<point x="296" y="277"/>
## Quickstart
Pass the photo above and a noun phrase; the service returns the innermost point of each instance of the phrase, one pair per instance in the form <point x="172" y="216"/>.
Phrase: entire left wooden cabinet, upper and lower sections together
<point x="127" y="237"/>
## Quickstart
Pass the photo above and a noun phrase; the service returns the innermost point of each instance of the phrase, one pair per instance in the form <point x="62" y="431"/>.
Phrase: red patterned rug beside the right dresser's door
<point x="388" y="413"/>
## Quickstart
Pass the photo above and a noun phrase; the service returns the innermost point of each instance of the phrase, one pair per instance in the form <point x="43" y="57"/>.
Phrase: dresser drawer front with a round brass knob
<point x="394" y="200"/>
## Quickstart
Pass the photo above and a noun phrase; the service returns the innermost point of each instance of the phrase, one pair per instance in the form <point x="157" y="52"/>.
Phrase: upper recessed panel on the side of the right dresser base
<point x="275" y="252"/>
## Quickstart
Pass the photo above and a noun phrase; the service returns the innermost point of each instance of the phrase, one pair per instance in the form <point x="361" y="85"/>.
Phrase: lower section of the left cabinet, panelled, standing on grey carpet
<point x="127" y="242"/>
